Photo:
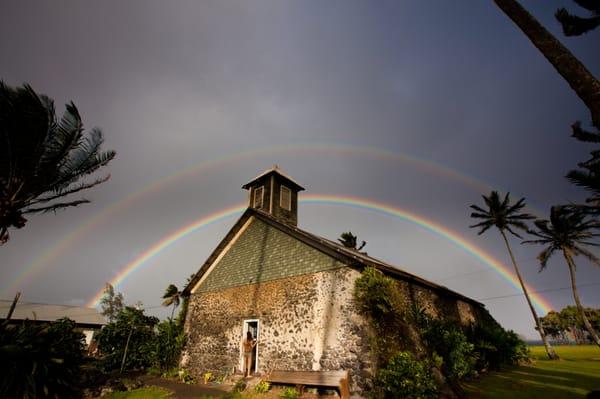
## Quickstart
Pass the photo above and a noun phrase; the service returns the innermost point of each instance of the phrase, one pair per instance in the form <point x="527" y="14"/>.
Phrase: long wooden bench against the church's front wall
<point x="329" y="379"/>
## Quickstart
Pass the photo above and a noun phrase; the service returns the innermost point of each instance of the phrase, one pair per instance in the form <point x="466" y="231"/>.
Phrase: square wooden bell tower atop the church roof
<point x="275" y="193"/>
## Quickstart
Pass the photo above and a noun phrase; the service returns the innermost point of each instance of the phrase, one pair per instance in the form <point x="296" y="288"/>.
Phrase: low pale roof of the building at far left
<point x="85" y="317"/>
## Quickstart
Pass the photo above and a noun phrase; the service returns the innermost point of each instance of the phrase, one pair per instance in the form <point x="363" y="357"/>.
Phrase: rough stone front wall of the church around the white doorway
<point x="307" y="322"/>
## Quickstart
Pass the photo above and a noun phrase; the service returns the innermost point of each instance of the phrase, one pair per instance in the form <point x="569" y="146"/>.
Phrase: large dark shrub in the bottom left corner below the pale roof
<point x="40" y="361"/>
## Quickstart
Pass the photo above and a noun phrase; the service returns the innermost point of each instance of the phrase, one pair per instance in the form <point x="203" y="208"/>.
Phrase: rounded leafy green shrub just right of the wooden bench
<point x="405" y="377"/>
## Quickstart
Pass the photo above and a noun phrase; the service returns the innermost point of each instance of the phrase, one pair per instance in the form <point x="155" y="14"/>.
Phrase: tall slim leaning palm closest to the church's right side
<point x="505" y="216"/>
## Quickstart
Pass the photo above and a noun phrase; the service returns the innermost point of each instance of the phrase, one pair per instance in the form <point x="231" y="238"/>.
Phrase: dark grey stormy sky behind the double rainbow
<point x="174" y="84"/>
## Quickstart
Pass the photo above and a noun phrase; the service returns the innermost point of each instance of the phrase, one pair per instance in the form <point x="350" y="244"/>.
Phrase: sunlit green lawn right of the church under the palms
<point x="577" y="373"/>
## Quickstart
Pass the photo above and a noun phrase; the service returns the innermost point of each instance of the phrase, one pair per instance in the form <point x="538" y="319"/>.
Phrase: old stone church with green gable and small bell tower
<point x="293" y="290"/>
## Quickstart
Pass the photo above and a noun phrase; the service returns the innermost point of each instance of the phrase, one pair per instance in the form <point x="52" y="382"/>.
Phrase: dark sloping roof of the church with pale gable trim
<point x="348" y="256"/>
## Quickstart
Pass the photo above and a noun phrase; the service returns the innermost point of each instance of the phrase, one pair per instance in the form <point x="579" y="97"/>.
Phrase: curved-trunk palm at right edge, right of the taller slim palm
<point x="569" y="232"/>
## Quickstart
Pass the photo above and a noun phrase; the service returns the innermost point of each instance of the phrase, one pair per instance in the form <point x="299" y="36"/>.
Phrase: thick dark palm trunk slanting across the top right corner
<point x="581" y="80"/>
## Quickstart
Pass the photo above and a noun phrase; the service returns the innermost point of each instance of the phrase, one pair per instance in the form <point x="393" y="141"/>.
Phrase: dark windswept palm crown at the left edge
<point x="42" y="160"/>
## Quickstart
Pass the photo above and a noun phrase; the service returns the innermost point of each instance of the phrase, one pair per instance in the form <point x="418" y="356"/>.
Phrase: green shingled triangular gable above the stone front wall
<point x="264" y="253"/>
